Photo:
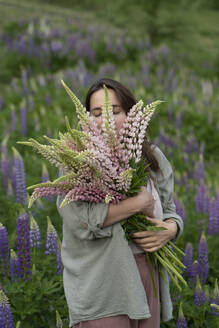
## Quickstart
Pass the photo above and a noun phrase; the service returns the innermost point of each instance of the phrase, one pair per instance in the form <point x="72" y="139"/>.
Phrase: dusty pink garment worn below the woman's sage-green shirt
<point x="123" y="321"/>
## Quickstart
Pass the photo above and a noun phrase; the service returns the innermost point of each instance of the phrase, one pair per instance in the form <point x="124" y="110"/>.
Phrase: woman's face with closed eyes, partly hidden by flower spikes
<point x="96" y="105"/>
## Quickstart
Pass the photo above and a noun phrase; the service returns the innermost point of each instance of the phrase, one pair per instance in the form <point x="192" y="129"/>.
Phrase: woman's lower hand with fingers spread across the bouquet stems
<point x="151" y="241"/>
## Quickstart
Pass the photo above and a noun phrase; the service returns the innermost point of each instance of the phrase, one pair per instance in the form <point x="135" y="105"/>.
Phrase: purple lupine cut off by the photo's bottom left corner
<point x="6" y="319"/>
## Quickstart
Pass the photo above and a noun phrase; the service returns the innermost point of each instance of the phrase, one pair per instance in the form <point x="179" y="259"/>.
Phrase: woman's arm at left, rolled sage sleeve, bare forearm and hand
<point x="89" y="221"/>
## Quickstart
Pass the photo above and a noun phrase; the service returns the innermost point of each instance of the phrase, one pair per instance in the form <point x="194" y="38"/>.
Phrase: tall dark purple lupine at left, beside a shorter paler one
<point x="23" y="244"/>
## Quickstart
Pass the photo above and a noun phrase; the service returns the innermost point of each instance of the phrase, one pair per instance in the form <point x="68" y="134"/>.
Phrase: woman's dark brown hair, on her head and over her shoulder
<point x="127" y="100"/>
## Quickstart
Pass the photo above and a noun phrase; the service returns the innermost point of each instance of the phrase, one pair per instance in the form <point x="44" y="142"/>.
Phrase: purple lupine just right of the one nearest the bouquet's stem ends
<point x="203" y="258"/>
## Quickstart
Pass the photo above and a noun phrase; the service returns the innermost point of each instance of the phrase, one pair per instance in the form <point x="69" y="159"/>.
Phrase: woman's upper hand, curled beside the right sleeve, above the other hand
<point x="146" y="202"/>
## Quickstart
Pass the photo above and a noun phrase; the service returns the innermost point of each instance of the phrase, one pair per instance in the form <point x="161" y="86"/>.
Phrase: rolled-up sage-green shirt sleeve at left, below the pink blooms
<point x="85" y="219"/>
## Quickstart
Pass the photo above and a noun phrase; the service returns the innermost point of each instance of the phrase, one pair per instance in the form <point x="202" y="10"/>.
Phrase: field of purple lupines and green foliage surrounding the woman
<point x="33" y="103"/>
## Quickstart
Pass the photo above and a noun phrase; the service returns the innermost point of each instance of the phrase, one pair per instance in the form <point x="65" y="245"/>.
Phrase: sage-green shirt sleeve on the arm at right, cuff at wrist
<point x="165" y="185"/>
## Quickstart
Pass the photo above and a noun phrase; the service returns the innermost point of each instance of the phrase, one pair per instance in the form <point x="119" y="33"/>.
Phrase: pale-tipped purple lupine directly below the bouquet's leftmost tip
<point x="21" y="196"/>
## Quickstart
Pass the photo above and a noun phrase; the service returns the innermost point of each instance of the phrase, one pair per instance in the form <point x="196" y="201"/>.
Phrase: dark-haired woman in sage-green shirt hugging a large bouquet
<point x="107" y="282"/>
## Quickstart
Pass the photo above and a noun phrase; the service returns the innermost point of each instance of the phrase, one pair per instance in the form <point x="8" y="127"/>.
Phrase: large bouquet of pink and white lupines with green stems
<point x="100" y="166"/>
